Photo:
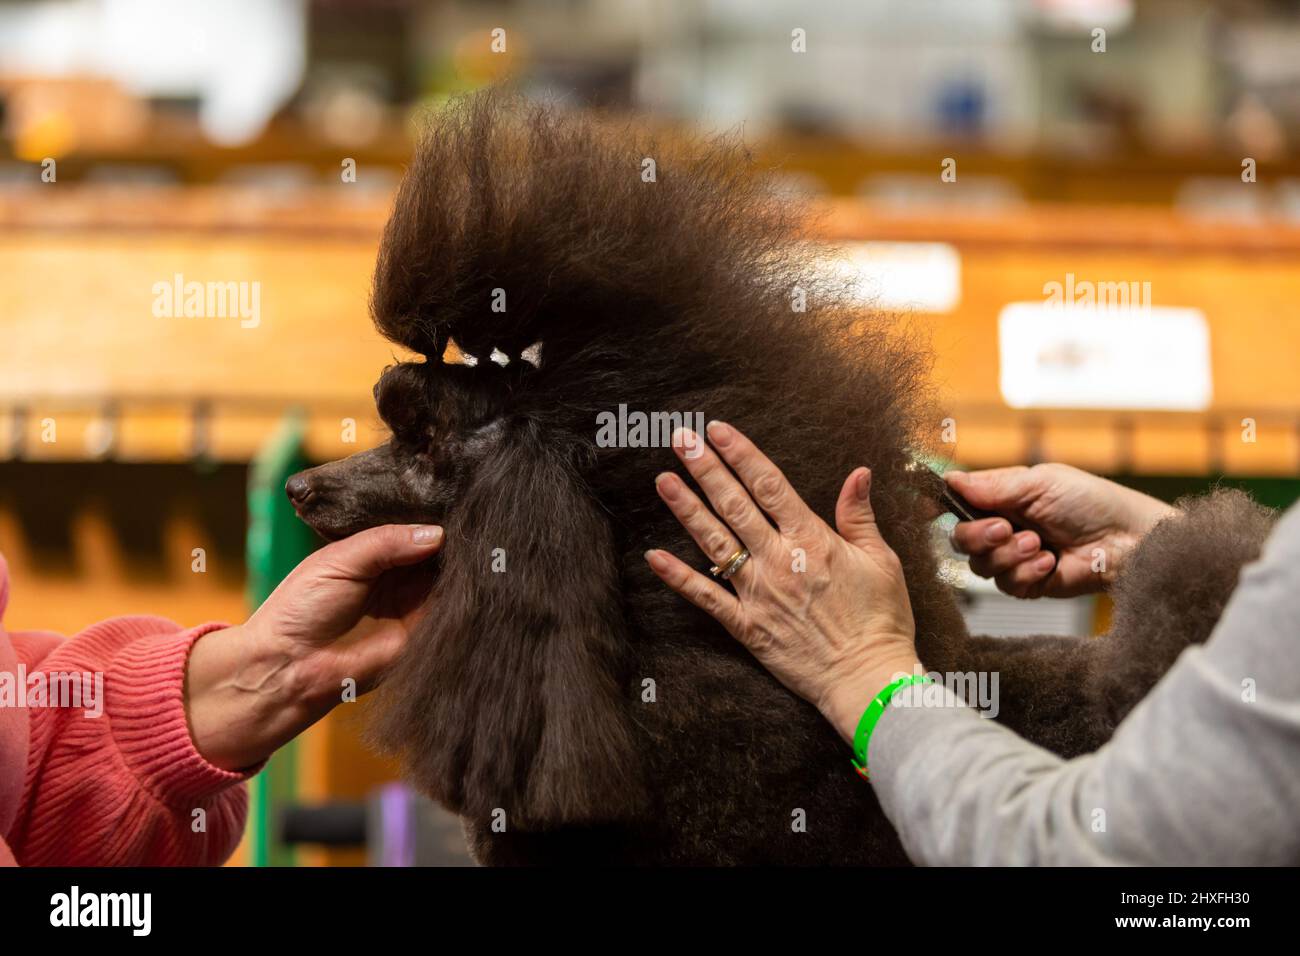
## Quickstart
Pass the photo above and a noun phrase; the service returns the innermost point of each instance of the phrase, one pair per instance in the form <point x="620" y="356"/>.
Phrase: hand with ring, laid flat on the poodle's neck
<point x="827" y="613"/>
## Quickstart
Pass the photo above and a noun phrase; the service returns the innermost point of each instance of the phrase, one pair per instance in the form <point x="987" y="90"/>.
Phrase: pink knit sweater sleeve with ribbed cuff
<point x="127" y="788"/>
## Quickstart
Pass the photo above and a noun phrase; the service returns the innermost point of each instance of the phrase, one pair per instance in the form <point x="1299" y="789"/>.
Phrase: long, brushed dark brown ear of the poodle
<point x="515" y="694"/>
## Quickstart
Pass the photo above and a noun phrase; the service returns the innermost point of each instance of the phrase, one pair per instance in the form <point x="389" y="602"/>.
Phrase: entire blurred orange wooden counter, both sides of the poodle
<point x="79" y="266"/>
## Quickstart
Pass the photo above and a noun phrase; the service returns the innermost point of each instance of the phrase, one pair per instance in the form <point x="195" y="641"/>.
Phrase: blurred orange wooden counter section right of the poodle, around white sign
<point x="1243" y="276"/>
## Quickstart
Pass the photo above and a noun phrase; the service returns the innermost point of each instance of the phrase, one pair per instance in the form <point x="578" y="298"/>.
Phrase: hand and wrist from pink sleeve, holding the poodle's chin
<point x="327" y="634"/>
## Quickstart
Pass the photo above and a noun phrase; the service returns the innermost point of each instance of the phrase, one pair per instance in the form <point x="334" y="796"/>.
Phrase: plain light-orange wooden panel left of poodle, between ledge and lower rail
<point x="93" y="332"/>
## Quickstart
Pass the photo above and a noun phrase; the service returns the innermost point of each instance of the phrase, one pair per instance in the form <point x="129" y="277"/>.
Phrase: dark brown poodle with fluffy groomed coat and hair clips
<point x="558" y="697"/>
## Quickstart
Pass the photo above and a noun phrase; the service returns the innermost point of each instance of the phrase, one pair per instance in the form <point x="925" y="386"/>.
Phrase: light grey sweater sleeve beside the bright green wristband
<point x="1204" y="771"/>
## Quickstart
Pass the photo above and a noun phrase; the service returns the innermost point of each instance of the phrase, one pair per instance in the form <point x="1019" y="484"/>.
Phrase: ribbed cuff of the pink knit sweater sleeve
<point x="145" y="698"/>
